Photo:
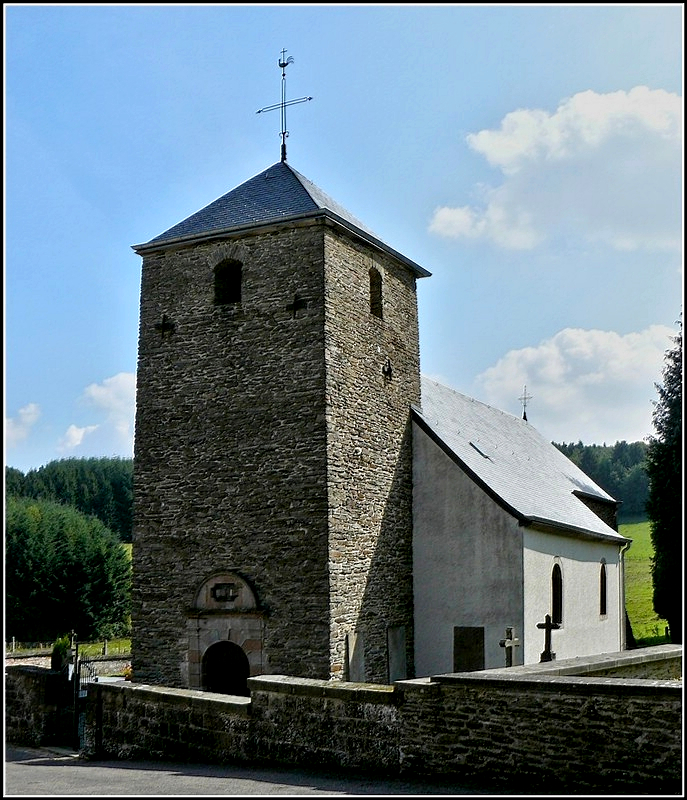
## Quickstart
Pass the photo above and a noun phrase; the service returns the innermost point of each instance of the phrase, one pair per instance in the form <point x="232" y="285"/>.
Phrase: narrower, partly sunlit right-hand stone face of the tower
<point x="369" y="453"/>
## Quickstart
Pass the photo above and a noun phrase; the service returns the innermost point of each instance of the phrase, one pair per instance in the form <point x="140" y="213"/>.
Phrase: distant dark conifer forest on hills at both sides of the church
<point x="103" y="487"/>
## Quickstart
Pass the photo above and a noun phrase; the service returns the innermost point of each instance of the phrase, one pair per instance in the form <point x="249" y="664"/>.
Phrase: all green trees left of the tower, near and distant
<point x="65" y="567"/>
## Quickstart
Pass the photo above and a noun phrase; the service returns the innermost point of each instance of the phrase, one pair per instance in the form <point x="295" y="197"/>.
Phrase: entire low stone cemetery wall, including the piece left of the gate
<point x="547" y="732"/>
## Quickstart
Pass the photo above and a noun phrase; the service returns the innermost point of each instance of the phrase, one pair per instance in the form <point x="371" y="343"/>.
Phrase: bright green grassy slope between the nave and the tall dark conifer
<point x="646" y="626"/>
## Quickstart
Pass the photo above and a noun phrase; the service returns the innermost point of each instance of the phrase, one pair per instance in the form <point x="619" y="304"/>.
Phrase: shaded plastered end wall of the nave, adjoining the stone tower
<point x="467" y="562"/>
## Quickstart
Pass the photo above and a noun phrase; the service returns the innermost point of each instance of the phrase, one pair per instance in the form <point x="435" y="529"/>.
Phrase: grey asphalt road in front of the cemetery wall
<point x="57" y="771"/>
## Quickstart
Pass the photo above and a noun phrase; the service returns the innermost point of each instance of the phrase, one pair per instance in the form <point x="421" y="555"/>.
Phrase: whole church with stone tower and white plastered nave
<point x="305" y="502"/>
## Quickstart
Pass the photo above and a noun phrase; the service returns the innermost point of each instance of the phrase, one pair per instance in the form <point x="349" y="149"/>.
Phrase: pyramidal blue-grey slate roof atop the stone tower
<point x="279" y="194"/>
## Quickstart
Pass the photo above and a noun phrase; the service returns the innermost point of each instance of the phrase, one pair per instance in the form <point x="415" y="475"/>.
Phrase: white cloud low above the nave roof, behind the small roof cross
<point x="589" y="385"/>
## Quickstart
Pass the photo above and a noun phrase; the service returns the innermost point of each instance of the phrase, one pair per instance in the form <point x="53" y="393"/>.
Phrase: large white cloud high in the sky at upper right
<point x="602" y="167"/>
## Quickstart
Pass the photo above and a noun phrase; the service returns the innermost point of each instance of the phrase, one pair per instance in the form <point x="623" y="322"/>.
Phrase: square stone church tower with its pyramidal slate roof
<point x="278" y="361"/>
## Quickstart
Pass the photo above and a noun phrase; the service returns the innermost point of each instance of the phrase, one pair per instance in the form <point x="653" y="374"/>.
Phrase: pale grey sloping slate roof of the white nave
<point x="512" y="461"/>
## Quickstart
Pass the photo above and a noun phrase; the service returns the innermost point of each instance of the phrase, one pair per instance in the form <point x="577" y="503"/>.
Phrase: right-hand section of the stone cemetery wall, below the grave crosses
<point x="552" y="734"/>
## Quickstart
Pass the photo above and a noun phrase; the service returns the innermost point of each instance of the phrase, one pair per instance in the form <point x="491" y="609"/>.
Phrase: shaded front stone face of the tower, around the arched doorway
<point x="230" y="461"/>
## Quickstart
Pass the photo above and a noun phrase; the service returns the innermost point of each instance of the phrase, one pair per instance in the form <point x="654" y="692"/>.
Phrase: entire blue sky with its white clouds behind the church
<point x="530" y="157"/>
